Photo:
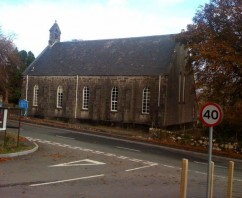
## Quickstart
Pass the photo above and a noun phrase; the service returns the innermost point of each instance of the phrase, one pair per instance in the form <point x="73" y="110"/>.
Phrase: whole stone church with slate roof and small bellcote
<point x="127" y="81"/>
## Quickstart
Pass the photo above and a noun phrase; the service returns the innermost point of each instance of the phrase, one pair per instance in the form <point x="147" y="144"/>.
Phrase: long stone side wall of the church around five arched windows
<point x="130" y="91"/>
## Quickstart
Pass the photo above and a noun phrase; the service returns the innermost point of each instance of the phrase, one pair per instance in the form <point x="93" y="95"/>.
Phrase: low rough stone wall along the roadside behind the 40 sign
<point x="185" y="138"/>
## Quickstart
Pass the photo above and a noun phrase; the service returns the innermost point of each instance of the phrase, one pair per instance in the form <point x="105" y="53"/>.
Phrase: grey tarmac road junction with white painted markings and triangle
<point x="80" y="164"/>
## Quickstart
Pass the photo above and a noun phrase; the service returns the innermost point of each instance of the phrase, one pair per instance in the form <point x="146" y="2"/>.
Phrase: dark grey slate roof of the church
<point x="136" y="56"/>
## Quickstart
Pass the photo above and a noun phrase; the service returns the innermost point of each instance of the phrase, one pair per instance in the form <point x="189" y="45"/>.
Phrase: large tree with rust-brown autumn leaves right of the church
<point x="214" y="44"/>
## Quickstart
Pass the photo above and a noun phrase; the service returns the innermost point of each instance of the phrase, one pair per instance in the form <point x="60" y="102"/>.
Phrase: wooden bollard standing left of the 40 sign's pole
<point x="183" y="187"/>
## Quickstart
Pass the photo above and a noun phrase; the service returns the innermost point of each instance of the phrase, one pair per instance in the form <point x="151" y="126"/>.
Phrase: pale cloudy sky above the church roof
<point x="30" y="20"/>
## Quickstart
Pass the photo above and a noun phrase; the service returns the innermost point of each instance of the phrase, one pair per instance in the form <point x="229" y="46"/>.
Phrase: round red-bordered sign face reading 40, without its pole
<point x="211" y="114"/>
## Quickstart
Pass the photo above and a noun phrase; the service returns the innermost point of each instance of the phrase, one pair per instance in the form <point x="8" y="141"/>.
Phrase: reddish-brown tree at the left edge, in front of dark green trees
<point x="9" y="60"/>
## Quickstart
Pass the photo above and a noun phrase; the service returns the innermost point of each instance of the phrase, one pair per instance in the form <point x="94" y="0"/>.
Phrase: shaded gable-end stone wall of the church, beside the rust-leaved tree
<point x="180" y="93"/>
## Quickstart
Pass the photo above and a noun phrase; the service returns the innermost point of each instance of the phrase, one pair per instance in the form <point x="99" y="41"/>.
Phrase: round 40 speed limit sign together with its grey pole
<point x="211" y="115"/>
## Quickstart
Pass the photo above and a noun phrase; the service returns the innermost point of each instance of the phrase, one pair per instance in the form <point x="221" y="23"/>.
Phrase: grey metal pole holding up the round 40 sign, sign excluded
<point x="209" y="161"/>
